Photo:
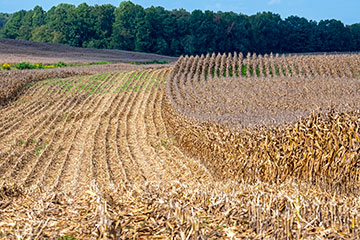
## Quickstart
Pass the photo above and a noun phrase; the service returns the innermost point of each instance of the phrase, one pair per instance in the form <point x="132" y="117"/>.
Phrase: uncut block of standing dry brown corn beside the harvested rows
<point x="271" y="128"/>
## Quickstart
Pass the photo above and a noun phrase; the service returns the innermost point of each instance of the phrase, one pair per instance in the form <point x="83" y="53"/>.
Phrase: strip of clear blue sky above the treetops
<point x="345" y="10"/>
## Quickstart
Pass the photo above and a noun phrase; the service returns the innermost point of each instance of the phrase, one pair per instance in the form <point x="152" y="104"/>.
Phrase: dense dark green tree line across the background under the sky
<point x="176" y="32"/>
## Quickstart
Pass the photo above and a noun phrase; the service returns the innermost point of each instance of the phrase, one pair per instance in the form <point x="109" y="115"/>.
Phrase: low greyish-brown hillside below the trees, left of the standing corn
<point x="15" y="51"/>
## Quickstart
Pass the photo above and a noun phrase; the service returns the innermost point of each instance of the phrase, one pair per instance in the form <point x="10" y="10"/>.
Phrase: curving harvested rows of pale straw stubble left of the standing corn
<point x="114" y="140"/>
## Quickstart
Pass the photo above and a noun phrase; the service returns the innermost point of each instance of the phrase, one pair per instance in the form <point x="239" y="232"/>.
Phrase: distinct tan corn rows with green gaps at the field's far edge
<point x="236" y="65"/>
